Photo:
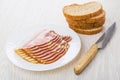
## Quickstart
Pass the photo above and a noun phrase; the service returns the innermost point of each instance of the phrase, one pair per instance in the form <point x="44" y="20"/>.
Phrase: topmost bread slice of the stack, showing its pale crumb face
<point x="84" y="11"/>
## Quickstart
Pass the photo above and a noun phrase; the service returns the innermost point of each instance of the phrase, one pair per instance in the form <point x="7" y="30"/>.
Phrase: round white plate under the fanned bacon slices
<point x="23" y="34"/>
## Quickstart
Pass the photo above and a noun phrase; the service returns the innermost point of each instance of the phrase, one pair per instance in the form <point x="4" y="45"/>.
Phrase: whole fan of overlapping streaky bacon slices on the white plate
<point x="45" y="48"/>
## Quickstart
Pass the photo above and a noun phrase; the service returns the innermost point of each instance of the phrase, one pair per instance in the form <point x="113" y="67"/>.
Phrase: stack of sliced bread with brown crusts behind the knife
<point x="86" y="18"/>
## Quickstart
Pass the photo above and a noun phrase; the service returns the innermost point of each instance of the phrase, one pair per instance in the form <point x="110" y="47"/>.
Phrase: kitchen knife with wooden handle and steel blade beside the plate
<point x="90" y="54"/>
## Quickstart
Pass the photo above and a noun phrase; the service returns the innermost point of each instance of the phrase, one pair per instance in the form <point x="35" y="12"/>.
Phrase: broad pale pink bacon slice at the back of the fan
<point x="42" y="38"/>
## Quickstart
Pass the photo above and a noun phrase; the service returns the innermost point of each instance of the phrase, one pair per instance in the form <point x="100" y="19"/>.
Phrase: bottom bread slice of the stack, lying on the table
<point x="87" y="31"/>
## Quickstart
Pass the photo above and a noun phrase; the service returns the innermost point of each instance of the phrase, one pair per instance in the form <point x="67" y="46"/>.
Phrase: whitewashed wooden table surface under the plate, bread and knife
<point x="15" y="14"/>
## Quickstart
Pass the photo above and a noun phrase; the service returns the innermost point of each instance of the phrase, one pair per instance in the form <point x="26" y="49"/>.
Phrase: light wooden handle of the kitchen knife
<point x="86" y="59"/>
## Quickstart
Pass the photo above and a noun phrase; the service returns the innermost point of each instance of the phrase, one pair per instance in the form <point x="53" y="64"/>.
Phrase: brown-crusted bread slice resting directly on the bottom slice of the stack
<point x="82" y="25"/>
